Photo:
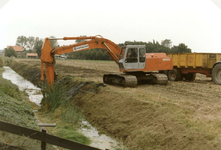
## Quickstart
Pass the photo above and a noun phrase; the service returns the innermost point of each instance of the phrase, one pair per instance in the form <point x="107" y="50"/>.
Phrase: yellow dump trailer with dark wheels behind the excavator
<point x="186" y="65"/>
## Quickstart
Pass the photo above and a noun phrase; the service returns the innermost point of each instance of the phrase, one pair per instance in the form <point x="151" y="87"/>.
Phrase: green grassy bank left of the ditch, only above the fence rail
<point x="13" y="109"/>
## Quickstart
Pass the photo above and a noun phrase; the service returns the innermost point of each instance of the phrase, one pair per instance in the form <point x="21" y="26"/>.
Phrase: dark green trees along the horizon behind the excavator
<point x="34" y="44"/>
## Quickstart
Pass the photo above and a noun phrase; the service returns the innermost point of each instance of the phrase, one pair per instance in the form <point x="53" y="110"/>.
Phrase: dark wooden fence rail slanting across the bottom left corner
<point x="44" y="137"/>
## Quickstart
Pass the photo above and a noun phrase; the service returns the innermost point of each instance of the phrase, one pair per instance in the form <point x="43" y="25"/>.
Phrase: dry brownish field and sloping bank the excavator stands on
<point x="181" y="115"/>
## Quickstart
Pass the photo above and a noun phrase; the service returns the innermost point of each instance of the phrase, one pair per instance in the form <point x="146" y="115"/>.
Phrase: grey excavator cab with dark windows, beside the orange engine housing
<point x="132" y="57"/>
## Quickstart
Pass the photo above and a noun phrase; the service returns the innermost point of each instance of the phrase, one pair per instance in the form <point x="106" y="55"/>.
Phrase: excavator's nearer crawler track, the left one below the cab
<point x="120" y="79"/>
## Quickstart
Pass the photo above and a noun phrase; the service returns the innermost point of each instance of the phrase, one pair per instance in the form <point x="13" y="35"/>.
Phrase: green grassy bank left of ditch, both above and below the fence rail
<point x="14" y="109"/>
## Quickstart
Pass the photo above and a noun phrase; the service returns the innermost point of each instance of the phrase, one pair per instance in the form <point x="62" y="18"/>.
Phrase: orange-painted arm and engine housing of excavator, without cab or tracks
<point x="154" y="61"/>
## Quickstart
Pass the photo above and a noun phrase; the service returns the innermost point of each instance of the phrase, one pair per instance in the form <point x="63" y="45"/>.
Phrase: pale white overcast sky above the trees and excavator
<point x="197" y="23"/>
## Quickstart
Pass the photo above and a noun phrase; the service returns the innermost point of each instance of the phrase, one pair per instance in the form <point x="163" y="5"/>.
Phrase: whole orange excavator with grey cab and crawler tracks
<point x="137" y="65"/>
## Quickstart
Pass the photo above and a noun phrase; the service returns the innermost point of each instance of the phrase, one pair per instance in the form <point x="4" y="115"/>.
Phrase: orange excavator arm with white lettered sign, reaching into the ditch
<point x="47" y="54"/>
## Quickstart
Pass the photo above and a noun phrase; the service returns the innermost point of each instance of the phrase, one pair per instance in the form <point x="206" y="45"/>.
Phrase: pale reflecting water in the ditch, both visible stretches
<point x="99" y="141"/>
